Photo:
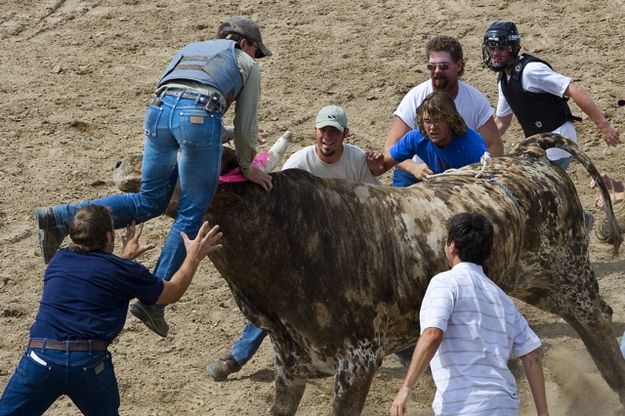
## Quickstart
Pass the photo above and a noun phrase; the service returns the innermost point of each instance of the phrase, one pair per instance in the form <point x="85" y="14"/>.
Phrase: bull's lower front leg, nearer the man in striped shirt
<point x="352" y="381"/>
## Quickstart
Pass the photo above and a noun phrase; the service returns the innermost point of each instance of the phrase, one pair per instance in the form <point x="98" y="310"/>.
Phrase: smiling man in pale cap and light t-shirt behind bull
<point x="328" y="158"/>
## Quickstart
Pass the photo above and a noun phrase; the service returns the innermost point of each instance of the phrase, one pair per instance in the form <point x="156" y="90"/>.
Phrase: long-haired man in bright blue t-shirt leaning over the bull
<point x="442" y="140"/>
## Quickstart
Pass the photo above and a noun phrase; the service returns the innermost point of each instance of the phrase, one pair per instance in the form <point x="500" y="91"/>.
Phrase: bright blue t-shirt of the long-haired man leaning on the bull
<point x="463" y="150"/>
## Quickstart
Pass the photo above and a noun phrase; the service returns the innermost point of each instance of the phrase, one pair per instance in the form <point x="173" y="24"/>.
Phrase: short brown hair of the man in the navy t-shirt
<point x="88" y="228"/>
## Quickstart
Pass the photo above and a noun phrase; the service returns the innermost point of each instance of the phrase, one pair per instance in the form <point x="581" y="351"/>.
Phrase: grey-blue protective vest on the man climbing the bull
<point x="210" y="62"/>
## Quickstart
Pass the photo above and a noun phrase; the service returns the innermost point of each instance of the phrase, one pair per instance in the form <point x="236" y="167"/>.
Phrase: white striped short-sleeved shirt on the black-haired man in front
<point x="482" y="329"/>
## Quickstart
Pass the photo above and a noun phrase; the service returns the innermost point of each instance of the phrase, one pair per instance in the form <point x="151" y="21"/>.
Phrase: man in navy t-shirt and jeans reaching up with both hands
<point x="83" y="308"/>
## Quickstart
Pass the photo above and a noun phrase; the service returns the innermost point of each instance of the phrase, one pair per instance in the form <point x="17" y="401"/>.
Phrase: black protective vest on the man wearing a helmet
<point x="536" y="112"/>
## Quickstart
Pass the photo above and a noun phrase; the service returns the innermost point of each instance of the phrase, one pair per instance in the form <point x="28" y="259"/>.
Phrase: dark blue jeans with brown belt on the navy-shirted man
<point x="87" y="378"/>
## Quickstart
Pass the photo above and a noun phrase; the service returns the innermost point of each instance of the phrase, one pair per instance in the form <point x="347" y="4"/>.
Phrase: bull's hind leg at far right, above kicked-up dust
<point x="584" y="309"/>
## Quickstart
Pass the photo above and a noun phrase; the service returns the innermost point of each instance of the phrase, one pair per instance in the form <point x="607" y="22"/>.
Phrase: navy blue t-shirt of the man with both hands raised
<point x="86" y="295"/>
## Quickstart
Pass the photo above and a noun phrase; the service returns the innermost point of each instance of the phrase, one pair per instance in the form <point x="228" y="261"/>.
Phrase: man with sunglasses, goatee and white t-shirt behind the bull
<point x="446" y="66"/>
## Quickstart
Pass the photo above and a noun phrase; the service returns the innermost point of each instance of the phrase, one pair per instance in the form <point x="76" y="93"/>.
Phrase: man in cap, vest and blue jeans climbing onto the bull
<point x="183" y="140"/>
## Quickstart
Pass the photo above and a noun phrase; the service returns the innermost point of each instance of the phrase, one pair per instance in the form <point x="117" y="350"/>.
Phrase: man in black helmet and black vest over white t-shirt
<point x="530" y="89"/>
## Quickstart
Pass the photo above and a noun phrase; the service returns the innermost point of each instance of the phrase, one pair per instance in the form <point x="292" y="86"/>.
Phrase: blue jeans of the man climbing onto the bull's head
<point x="182" y="141"/>
